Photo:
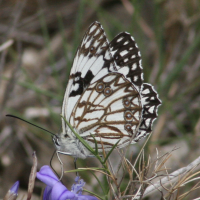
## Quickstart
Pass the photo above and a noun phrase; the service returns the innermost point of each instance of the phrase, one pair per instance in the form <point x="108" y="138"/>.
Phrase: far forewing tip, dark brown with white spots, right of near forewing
<point x="127" y="58"/>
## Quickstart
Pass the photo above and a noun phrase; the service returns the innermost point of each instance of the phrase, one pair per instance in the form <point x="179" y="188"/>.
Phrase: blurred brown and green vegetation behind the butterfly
<point x="43" y="37"/>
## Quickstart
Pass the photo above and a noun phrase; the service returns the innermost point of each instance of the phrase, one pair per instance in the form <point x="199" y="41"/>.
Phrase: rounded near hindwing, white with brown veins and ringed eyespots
<point x="110" y="109"/>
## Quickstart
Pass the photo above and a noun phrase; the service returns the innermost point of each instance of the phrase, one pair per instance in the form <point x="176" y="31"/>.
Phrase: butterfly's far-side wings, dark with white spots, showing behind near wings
<point x="127" y="59"/>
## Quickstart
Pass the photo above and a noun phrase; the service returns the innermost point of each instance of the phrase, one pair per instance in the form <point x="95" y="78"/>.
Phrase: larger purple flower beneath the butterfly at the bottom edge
<point x="55" y="190"/>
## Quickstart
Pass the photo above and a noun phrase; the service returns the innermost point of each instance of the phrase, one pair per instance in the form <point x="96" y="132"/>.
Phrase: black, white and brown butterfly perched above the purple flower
<point x="106" y="100"/>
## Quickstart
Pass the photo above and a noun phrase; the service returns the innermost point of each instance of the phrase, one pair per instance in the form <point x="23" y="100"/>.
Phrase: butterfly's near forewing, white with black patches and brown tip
<point x="92" y="61"/>
